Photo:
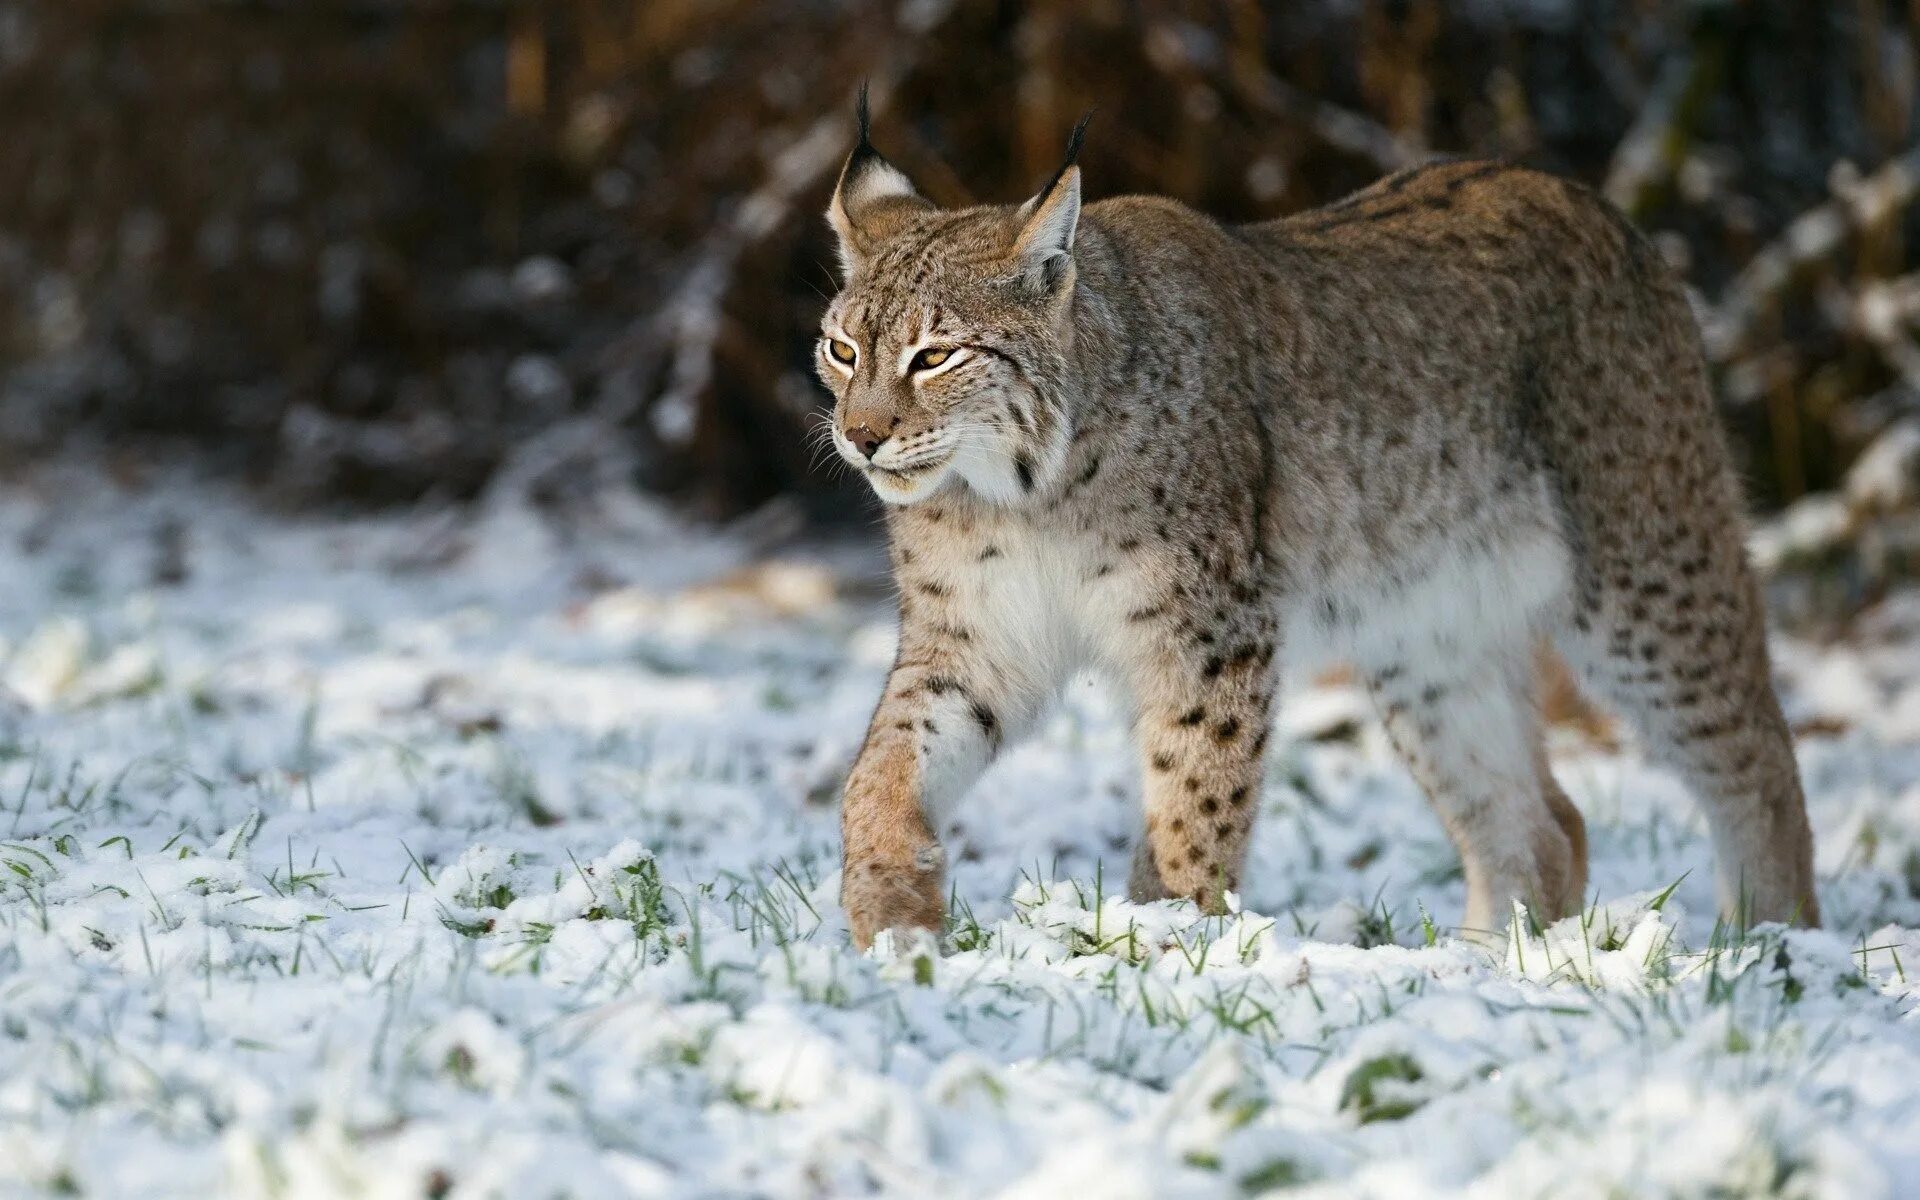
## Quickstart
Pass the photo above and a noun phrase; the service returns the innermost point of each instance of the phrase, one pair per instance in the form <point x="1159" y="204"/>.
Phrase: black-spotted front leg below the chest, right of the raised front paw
<point x="1203" y="736"/>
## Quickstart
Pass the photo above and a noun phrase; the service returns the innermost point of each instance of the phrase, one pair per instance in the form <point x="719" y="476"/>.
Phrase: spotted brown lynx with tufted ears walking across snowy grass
<point x="1420" y="431"/>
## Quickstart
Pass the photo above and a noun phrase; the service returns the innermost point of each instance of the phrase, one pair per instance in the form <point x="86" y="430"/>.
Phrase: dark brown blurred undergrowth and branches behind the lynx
<point x="393" y="251"/>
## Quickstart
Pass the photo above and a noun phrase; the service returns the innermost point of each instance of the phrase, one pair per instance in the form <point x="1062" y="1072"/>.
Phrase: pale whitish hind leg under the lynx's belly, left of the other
<point x="1472" y="738"/>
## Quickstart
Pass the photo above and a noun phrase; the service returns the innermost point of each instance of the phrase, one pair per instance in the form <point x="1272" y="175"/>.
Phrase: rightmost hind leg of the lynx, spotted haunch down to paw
<point x="1668" y="623"/>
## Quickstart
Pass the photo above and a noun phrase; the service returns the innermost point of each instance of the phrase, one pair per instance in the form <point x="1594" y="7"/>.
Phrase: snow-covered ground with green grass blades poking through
<point x="443" y="857"/>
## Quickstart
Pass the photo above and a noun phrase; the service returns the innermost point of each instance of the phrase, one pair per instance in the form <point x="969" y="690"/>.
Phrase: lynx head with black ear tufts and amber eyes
<point x="948" y="347"/>
